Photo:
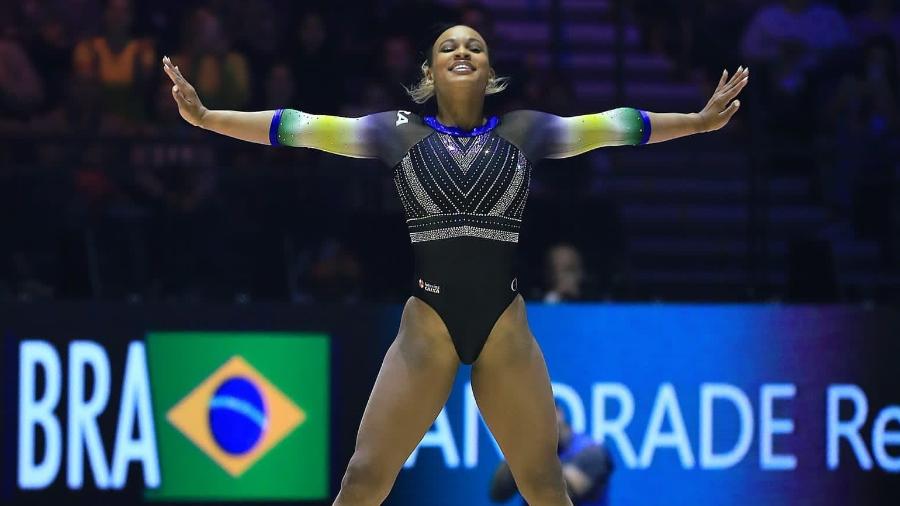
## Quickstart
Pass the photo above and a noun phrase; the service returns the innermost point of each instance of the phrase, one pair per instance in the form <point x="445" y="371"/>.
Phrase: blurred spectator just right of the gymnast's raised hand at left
<point x="220" y="74"/>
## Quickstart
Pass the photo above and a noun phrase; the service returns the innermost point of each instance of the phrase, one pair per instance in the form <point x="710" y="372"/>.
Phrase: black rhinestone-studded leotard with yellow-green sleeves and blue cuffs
<point x="464" y="194"/>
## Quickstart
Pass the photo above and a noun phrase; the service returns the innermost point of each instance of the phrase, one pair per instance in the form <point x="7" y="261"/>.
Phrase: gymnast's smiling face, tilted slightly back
<point x="459" y="59"/>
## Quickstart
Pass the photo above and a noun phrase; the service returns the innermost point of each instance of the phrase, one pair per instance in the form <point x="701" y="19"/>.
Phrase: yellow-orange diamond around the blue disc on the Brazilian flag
<point x="191" y="416"/>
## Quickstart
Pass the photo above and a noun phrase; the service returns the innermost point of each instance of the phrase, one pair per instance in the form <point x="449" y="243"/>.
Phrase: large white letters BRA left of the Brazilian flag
<point x="82" y="431"/>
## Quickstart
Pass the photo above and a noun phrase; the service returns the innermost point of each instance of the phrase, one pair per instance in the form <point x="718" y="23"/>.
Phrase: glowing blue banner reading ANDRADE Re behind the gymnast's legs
<point x="700" y="405"/>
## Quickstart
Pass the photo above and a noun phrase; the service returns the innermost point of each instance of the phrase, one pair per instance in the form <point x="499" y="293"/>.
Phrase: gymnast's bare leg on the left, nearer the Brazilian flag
<point x="412" y="387"/>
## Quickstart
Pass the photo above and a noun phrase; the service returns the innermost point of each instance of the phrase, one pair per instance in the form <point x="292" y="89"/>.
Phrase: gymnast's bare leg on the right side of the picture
<point x="512" y="388"/>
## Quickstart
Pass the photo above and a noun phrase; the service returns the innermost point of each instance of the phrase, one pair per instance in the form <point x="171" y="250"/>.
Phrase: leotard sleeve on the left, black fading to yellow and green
<point x="376" y="135"/>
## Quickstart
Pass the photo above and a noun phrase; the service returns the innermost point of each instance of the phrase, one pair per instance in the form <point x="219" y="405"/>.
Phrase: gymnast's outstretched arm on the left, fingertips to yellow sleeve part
<point x="352" y="137"/>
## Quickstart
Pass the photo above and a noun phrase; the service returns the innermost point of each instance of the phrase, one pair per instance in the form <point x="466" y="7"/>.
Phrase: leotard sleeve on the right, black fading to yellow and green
<point x="543" y="135"/>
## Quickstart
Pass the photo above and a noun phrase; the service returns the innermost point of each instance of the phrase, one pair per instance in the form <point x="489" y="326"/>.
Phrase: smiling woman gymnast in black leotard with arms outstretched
<point x="463" y="180"/>
